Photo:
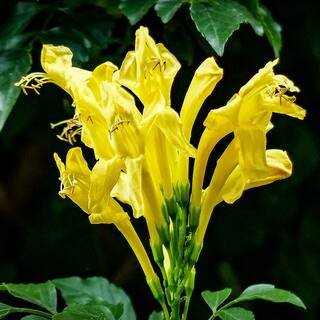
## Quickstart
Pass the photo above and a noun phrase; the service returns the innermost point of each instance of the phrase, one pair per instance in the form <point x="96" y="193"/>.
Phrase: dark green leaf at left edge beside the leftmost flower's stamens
<point x="13" y="65"/>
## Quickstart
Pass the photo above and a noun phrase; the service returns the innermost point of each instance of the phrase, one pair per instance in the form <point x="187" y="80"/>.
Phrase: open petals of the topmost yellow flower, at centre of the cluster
<point x="148" y="72"/>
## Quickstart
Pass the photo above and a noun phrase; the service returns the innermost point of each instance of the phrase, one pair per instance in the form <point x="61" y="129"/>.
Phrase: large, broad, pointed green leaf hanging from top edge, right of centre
<point x="217" y="20"/>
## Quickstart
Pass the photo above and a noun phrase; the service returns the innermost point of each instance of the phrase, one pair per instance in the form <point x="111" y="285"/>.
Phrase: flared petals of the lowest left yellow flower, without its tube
<point x="90" y="190"/>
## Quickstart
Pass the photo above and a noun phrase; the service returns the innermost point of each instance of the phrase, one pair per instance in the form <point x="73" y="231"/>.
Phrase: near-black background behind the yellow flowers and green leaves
<point x="270" y="235"/>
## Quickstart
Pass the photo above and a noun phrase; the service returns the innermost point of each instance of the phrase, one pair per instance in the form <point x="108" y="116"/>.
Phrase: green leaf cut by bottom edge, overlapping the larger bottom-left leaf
<point x="85" y="312"/>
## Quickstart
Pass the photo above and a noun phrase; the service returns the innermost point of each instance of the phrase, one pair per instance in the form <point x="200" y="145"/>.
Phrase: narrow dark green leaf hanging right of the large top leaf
<point x="272" y="30"/>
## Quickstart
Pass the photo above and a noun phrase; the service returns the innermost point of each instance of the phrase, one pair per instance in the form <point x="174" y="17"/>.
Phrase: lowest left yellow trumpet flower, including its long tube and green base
<point x="90" y="190"/>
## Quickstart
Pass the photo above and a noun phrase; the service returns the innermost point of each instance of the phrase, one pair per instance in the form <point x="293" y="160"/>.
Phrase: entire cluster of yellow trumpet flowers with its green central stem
<point x="143" y="156"/>
